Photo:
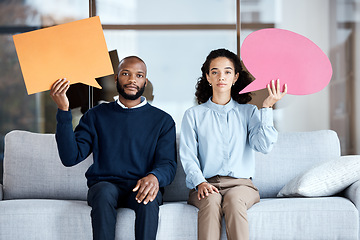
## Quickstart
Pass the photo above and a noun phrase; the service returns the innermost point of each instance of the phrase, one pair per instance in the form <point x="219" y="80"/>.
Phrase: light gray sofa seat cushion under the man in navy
<point x="66" y="219"/>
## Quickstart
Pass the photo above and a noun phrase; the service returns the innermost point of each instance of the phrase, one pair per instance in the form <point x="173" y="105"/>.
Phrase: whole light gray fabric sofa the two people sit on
<point x="41" y="199"/>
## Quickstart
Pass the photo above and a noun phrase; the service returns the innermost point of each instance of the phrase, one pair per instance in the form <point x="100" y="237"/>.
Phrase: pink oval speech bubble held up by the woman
<point x="281" y="54"/>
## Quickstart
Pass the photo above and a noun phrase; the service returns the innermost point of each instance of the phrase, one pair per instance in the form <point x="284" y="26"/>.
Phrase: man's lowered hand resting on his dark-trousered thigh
<point x="148" y="188"/>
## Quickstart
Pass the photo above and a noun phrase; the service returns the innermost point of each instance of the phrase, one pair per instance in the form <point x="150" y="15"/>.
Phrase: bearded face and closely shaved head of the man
<point x="131" y="79"/>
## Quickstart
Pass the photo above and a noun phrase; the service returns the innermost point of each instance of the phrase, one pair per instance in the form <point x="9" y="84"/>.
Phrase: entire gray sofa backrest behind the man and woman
<point x="32" y="167"/>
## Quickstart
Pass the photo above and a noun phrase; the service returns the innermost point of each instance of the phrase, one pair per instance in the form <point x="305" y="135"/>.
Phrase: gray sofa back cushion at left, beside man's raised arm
<point x="32" y="169"/>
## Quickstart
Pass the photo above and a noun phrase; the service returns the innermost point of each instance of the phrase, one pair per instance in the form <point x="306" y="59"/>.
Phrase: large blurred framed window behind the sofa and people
<point x="173" y="38"/>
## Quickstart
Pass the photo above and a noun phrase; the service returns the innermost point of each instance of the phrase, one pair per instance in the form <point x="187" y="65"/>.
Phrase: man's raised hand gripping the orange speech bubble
<point x="58" y="94"/>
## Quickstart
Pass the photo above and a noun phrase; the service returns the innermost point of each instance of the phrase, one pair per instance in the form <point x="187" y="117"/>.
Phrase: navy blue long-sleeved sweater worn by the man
<point x="127" y="144"/>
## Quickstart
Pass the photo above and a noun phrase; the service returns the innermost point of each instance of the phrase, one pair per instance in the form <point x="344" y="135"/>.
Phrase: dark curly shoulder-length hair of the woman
<point x="204" y="90"/>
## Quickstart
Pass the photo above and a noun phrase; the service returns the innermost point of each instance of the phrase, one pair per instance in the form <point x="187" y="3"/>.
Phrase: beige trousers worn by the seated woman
<point x="235" y="197"/>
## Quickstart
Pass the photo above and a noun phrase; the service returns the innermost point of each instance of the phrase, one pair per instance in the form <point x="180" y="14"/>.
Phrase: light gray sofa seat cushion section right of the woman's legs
<point x="304" y="218"/>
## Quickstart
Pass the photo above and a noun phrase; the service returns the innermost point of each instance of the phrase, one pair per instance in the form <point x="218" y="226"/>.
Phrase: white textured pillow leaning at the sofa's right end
<point x="325" y="179"/>
